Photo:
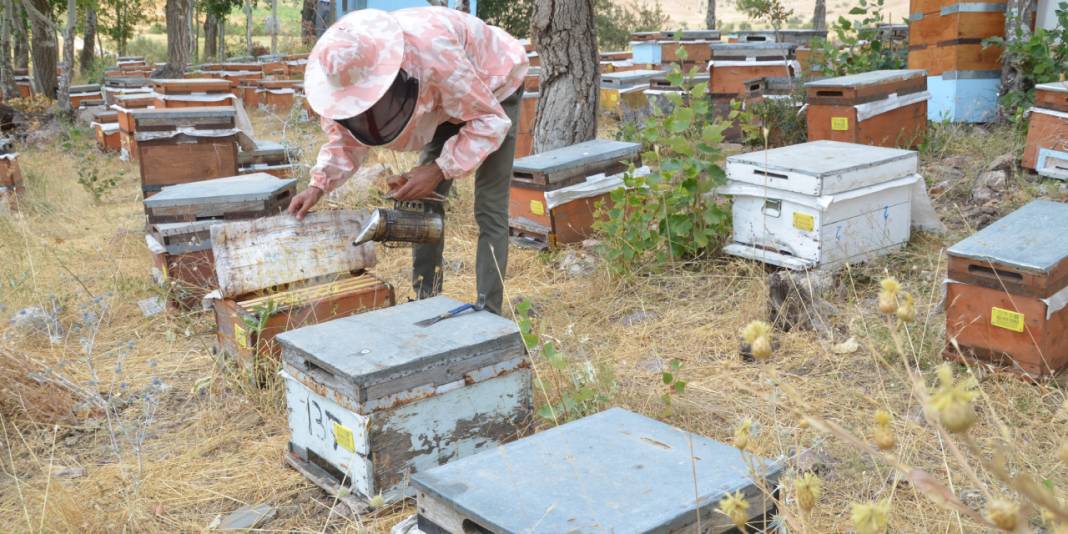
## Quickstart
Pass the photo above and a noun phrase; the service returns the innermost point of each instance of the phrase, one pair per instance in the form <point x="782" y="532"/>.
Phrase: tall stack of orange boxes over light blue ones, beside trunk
<point x="946" y="39"/>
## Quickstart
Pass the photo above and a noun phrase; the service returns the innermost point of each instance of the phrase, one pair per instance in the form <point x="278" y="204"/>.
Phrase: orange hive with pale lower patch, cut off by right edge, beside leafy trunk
<point x="1047" y="150"/>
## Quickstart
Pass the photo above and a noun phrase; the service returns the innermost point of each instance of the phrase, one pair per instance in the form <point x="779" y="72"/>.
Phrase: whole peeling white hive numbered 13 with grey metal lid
<point x="401" y="399"/>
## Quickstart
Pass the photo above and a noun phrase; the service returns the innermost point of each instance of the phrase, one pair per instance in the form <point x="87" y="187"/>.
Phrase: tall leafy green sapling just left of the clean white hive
<point x="670" y="214"/>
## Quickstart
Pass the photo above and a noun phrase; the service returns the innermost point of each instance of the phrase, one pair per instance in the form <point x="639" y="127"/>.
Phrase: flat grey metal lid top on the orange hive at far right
<point x="1031" y="239"/>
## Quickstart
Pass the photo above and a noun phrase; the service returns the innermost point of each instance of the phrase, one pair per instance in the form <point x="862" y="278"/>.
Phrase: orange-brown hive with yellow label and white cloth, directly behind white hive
<point x="883" y="108"/>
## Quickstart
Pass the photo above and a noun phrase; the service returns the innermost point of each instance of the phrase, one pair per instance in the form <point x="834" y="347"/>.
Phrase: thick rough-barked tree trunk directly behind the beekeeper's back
<point x="567" y="40"/>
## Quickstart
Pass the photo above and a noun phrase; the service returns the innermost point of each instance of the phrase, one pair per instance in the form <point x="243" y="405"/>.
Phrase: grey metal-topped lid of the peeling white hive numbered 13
<point x="386" y="347"/>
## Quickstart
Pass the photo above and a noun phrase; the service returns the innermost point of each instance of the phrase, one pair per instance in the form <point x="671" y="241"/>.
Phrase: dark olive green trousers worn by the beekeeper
<point x="492" y="183"/>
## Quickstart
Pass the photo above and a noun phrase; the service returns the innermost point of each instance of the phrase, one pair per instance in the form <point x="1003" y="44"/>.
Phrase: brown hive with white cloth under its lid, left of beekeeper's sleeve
<point x="185" y="145"/>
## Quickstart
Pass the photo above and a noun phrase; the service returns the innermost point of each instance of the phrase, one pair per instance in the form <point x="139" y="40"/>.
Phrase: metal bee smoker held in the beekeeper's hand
<point x="420" y="223"/>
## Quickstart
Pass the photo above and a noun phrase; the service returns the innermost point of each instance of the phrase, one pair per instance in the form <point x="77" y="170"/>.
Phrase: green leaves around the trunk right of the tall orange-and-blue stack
<point x="1038" y="58"/>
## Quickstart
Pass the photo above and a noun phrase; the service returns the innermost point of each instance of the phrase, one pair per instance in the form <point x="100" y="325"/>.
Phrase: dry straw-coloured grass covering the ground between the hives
<point x="183" y="443"/>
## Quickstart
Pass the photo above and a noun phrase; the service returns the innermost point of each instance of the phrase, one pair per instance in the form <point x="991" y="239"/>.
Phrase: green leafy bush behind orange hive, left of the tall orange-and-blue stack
<point x="858" y="46"/>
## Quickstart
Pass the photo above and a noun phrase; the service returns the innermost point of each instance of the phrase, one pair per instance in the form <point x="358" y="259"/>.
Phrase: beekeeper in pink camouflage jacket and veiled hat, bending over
<point x="429" y="80"/>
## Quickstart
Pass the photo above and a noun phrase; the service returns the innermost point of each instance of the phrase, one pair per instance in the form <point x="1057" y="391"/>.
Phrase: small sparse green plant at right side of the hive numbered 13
<point x="572" y="389"/>
